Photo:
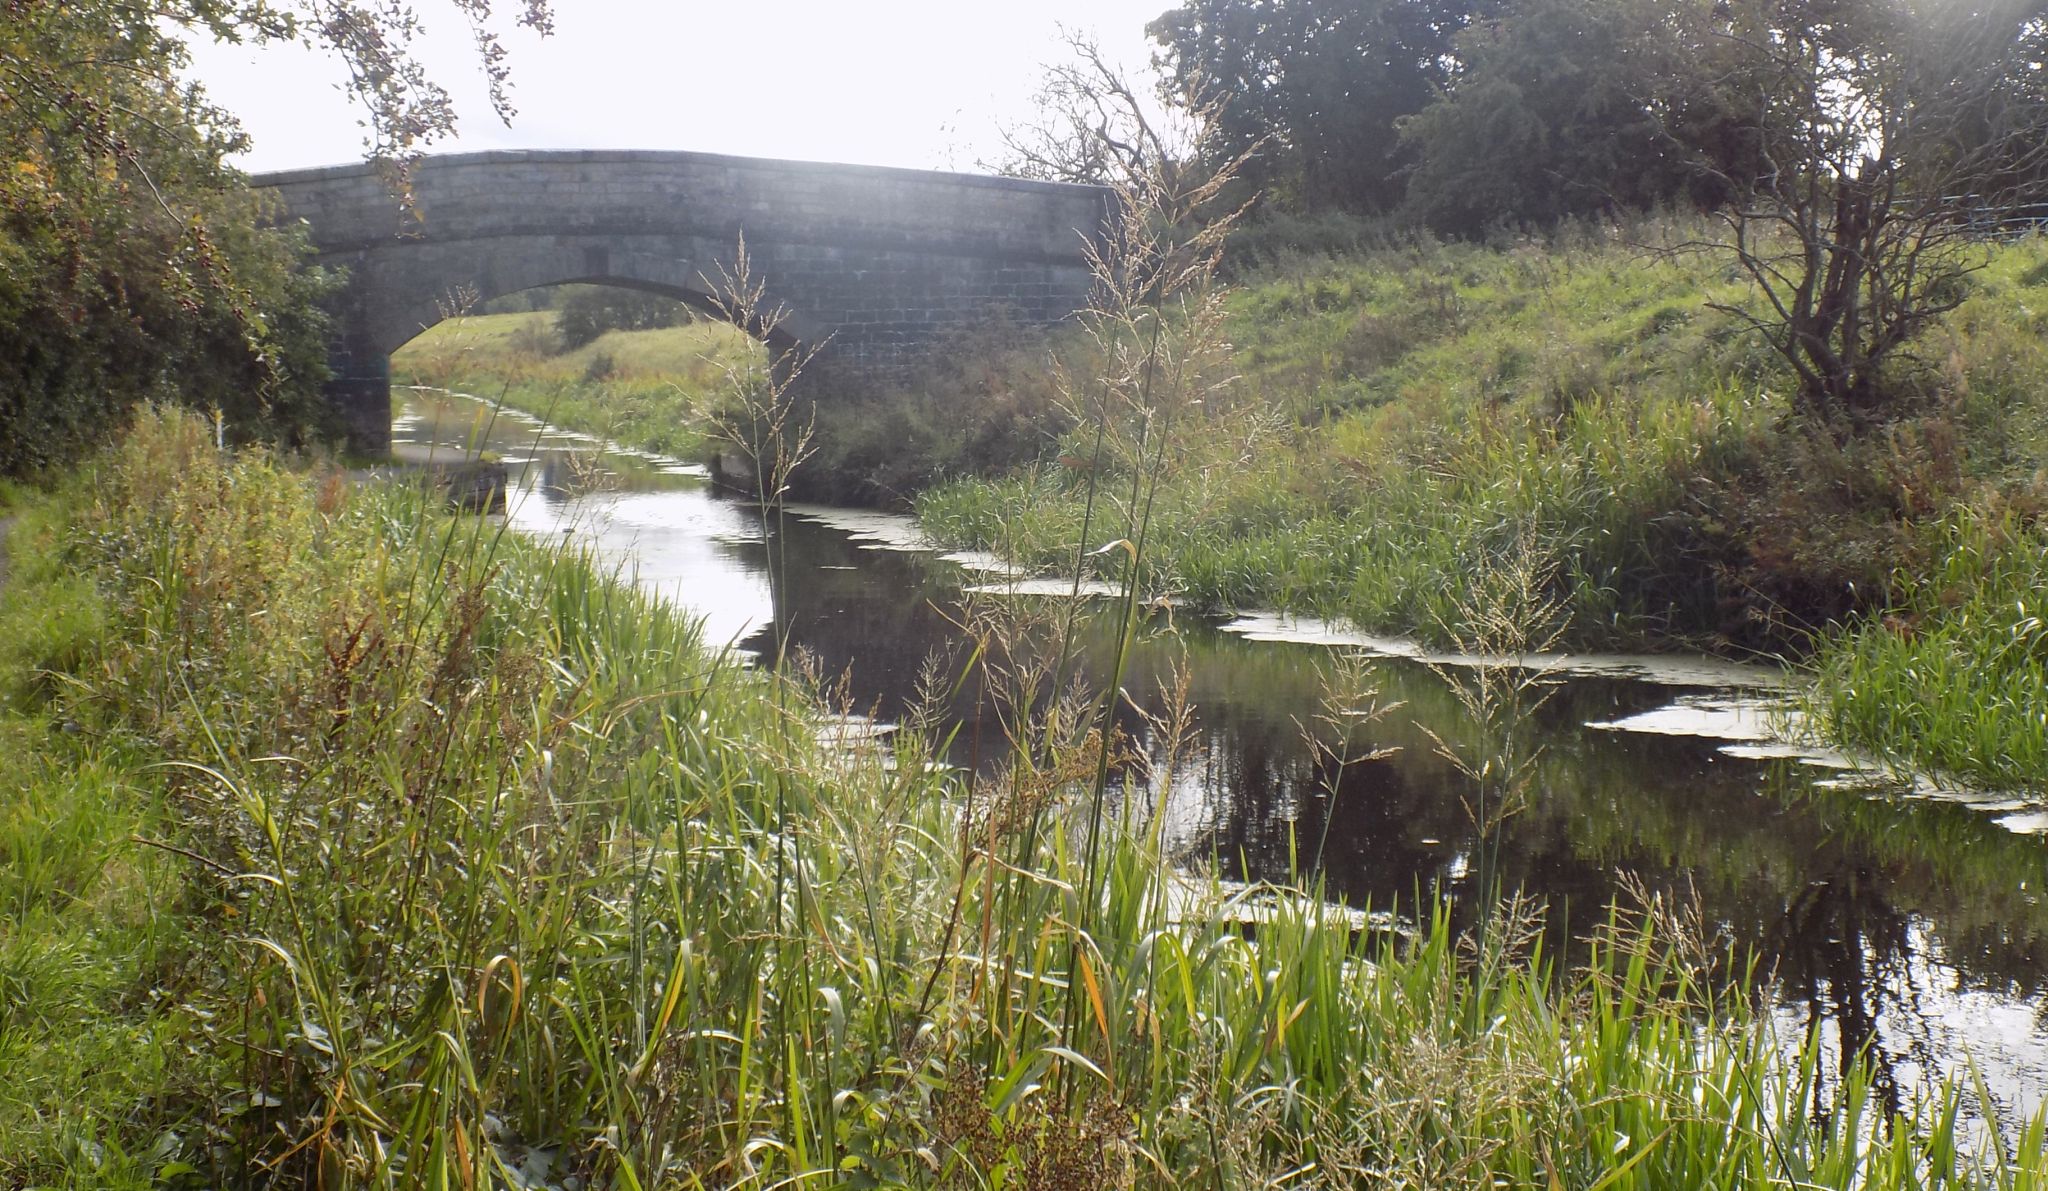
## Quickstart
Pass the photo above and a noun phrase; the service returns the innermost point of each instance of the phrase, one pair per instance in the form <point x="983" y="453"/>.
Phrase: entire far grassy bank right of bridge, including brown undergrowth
<point x="1408" y="418"/>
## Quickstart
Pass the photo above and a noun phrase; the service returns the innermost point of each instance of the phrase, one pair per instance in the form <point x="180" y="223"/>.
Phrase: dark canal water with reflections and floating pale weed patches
<point x="1893" y="918"/>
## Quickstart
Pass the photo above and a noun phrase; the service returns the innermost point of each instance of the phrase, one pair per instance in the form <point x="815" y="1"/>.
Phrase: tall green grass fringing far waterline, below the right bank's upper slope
<point x="1607" y="490"/>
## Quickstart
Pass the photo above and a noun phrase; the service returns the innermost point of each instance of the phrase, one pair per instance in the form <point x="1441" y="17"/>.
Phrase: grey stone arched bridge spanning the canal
<point x="871" y="265"/>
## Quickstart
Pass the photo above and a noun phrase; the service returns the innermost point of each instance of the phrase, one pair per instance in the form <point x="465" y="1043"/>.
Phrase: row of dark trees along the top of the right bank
<point x="1519" y="114"/>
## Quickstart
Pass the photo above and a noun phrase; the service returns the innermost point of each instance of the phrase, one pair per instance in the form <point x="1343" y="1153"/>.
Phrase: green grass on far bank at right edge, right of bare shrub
<point x="1953" y="680"/>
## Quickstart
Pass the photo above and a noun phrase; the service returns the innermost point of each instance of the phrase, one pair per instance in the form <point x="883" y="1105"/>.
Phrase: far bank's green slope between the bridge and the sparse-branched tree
<point x="1406" y="412"/>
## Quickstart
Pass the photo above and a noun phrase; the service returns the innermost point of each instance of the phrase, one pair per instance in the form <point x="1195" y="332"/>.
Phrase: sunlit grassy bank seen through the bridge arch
<point x="650" y="390"/>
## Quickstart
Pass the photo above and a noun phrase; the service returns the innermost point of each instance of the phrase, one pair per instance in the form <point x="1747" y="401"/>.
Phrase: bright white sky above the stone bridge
<point x="886" y="83"/>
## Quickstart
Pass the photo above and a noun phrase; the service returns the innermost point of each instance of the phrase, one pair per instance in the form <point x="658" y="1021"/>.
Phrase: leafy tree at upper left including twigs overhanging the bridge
<point x="134" y="263"/>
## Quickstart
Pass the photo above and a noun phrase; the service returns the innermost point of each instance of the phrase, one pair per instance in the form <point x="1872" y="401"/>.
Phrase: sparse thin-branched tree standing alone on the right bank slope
<point x="1883" y="132"/>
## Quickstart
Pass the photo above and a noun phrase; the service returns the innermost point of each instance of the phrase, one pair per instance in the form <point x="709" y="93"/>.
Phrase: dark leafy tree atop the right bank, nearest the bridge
<point x="1318" y="85"/>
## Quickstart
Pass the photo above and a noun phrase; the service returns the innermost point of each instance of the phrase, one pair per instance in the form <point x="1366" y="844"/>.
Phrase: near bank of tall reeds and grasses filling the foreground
<point x="361" y="846"/>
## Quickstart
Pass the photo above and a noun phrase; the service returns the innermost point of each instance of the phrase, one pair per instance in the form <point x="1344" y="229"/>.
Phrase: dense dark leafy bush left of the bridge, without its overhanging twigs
<point x="134" y="263"/>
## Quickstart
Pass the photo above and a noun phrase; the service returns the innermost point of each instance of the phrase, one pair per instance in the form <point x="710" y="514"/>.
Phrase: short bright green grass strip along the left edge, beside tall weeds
<point x="91" y="940"/>
